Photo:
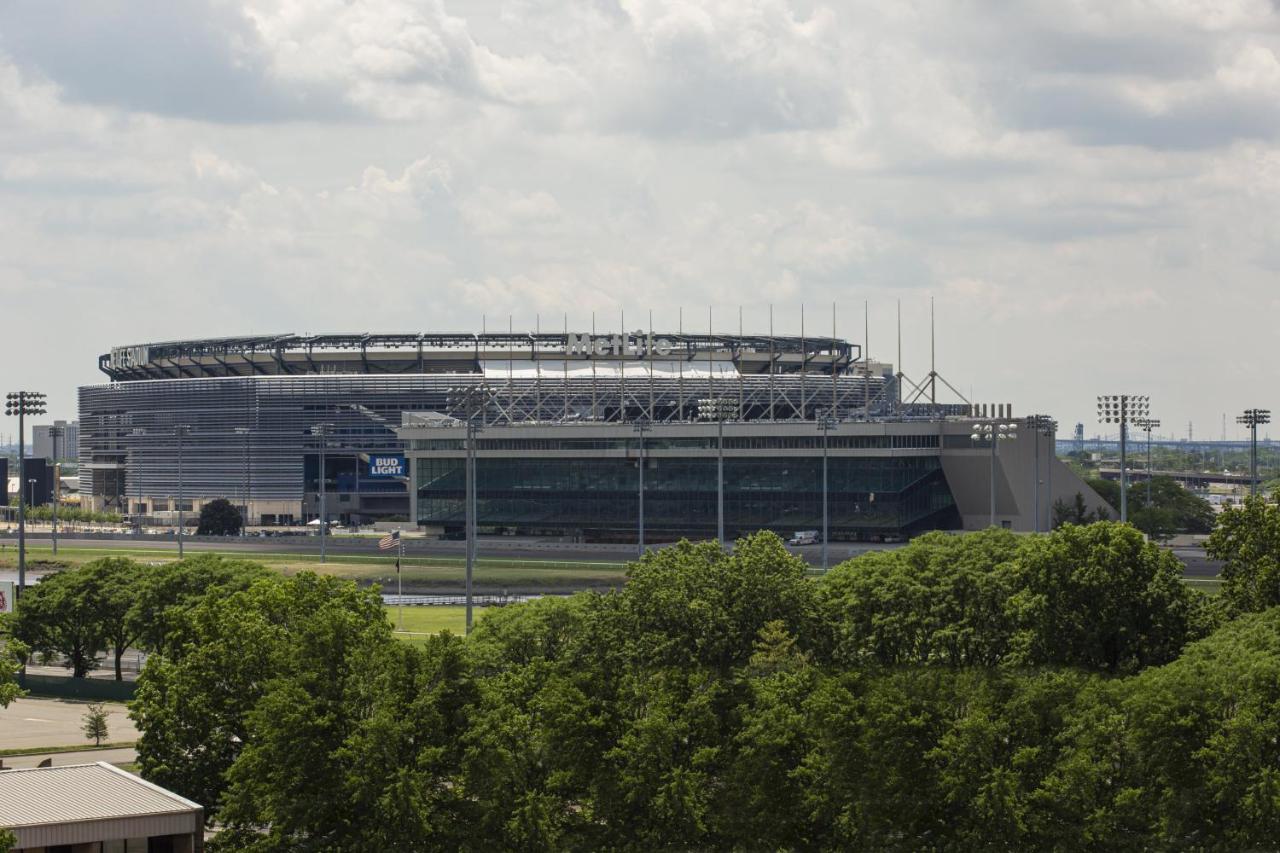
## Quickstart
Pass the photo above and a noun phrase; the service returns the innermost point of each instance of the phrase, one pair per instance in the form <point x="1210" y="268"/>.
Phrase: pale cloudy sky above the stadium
<point x="1087" y="191"/>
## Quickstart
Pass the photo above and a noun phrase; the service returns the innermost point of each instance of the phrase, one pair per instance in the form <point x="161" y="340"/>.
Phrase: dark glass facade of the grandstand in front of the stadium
<point x="598" y="499"/>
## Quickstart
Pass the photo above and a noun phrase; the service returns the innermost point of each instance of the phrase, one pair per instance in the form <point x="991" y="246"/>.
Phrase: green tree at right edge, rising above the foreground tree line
<point x="1247" y="541"/>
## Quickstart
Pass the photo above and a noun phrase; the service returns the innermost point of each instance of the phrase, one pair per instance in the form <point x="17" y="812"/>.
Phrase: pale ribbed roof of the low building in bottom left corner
<point x="79" y="793"/>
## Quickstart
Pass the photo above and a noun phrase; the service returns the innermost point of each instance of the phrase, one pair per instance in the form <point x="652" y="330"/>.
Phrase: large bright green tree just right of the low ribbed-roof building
<point x="198" y="701"/>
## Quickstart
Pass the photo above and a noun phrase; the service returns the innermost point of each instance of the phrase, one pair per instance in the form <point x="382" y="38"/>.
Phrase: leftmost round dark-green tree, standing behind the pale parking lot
<point x="63" y="614"/>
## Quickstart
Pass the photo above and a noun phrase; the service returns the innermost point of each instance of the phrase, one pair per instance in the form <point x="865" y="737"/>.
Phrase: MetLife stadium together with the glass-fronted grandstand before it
<point x="561" y="423"/>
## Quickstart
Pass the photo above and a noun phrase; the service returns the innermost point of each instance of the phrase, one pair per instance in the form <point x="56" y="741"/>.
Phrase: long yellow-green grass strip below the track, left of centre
<point x="491" y="574"/>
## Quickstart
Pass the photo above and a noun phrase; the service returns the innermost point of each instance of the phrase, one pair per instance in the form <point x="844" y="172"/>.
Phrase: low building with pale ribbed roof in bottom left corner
<point x="97" y="808"/>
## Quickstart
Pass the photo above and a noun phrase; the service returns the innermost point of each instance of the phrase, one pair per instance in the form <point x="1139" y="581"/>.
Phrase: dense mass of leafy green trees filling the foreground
<point x="964" y="692"/>
